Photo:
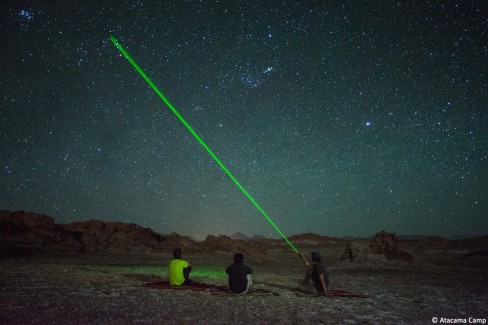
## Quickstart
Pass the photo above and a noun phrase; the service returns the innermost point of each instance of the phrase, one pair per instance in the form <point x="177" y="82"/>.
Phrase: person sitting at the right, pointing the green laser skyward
<point x="316" y="272"/>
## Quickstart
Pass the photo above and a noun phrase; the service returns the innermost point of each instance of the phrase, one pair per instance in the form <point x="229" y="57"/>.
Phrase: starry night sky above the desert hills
<point x="338" y="117"/>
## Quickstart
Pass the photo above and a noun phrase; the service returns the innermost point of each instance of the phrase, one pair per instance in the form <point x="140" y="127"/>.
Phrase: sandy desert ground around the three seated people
<point x="56" y="288"/>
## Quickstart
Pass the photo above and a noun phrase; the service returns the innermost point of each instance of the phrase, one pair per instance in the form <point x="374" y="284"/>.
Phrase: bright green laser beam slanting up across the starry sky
<point x="153" y="86"/>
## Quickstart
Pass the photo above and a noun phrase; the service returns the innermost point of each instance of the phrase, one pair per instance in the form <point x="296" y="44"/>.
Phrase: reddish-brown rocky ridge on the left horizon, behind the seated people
<point x="34" y="231"/>
